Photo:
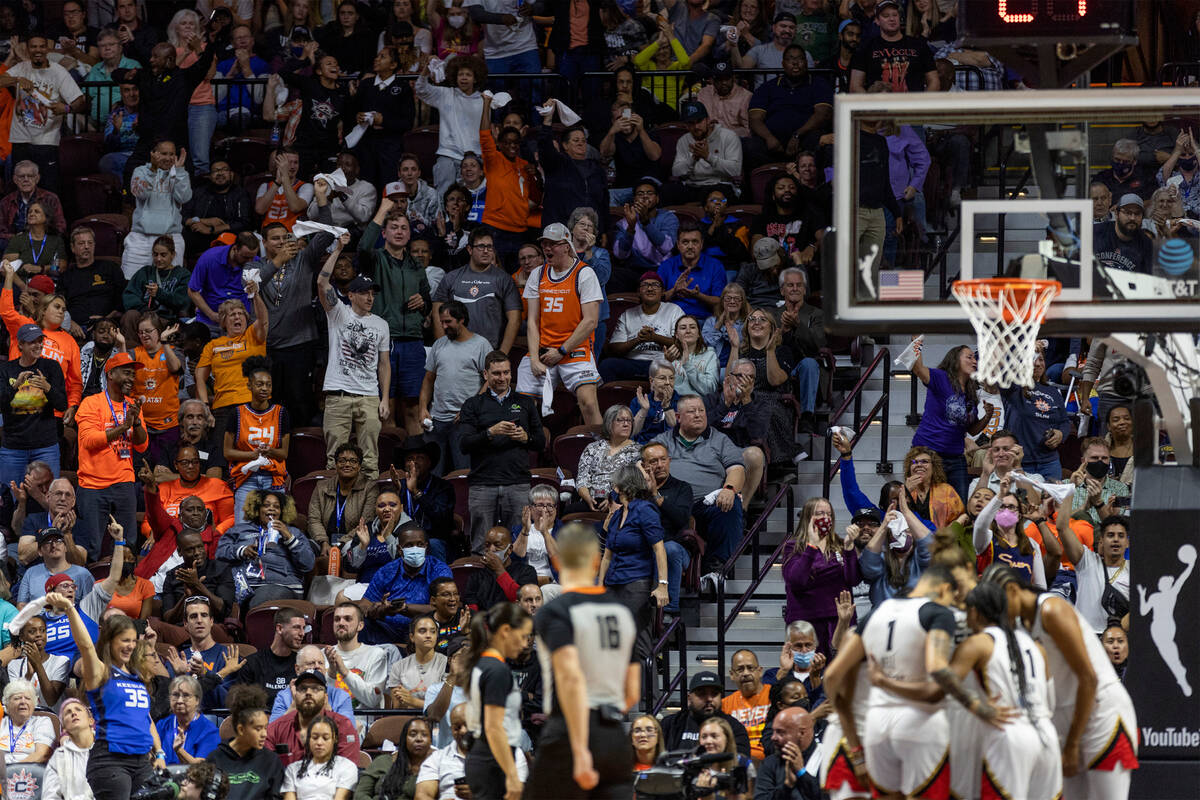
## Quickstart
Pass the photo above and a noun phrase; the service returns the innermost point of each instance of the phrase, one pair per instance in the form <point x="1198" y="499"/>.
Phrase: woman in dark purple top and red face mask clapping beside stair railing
<point x="818" y="568"/>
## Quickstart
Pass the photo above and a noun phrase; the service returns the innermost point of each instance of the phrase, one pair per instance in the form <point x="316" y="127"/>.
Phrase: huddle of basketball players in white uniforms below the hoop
<point x="1025" y="707"/>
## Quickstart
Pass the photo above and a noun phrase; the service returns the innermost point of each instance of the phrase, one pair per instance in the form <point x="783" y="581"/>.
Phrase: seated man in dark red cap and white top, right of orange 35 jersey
<point x="643" y="333"/>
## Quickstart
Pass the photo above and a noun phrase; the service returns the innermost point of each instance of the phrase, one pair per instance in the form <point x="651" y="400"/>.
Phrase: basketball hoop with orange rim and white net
<point x="1006" y="315"/>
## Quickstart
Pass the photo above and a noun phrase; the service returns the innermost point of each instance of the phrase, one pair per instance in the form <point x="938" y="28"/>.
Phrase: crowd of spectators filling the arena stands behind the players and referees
<point x="314" y="372"/>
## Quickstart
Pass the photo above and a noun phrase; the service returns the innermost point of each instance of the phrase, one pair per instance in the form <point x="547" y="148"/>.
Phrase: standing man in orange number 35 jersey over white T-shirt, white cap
<point x="565" y="299"/>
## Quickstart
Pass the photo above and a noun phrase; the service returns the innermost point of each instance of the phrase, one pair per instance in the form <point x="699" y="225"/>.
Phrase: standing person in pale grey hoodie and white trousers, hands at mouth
<point x="160" y="189"/>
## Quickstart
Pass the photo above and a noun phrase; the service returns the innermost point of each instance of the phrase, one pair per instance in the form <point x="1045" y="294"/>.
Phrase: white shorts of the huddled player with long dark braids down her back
<point x="1023" y="761"/>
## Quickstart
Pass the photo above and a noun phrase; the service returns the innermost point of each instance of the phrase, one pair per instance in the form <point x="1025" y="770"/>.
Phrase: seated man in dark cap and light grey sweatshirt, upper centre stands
<point x="707" y="158"/>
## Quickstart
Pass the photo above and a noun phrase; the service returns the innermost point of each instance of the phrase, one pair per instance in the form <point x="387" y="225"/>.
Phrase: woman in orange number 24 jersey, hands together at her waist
<point x="256" y="438"/>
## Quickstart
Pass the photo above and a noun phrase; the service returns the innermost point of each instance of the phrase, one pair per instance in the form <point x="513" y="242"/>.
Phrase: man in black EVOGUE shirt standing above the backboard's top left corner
<point x="903" y="63"/>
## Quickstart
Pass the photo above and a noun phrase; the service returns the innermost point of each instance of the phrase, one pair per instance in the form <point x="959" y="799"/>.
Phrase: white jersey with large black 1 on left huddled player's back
<point x="896" y="639"/>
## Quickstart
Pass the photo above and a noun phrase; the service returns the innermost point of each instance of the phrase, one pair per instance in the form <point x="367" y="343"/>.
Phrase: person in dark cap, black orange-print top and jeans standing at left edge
<point x="32" y="390"/>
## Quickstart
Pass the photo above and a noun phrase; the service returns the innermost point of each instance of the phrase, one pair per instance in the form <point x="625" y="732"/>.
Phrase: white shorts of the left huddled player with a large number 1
<point x="909" y="751"/>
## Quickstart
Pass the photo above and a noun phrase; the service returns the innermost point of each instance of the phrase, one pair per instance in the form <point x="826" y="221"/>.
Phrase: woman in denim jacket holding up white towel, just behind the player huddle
<point x="897" y="555"/>
